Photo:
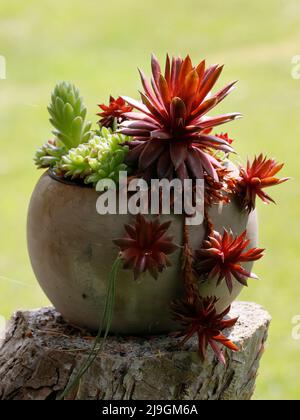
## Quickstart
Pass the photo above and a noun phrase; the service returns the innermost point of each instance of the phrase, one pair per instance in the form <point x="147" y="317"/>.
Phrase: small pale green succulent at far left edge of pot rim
<point x="49" y="155"/>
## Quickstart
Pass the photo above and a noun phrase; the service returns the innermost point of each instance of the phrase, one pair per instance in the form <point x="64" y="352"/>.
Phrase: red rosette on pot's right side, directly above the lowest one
<point x="221" y="256"/>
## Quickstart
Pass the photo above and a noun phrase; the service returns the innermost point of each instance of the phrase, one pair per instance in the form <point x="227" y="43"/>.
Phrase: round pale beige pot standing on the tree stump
<point x="72" y="253"/>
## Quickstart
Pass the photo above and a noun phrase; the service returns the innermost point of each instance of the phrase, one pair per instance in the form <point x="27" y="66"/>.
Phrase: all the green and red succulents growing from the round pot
<point x="167" y="135"/>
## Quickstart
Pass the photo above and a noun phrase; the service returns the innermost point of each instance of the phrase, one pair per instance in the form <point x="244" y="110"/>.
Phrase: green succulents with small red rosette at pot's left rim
<point x="78" y="152"/>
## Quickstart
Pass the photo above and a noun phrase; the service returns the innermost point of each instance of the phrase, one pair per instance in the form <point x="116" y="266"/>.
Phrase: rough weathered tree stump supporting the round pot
<point x="41" y="354"/>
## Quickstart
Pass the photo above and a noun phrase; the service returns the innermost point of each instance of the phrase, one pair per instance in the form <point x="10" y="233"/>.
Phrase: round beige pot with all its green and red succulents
<point x="171" y="276"/>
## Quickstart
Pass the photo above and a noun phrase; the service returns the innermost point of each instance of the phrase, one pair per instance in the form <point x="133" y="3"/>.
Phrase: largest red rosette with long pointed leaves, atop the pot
<point x="170" y="131"/>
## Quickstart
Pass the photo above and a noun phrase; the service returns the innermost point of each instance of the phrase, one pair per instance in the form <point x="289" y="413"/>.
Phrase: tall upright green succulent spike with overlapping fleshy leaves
<point x="67" y="115"/>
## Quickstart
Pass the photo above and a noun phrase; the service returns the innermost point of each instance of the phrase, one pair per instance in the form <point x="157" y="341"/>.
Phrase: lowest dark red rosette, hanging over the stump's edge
<point x="201" y="318"/>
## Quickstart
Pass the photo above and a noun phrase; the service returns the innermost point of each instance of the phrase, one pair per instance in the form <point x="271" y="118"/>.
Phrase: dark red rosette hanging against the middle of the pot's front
<point x="145" y="246"/>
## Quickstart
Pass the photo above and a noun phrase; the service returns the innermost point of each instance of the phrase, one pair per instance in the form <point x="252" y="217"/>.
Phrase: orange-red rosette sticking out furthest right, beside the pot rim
<point x="257" y="176"/>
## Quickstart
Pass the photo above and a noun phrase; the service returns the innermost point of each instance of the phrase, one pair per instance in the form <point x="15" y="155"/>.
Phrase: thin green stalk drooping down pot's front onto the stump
<point x="105" y="325"/>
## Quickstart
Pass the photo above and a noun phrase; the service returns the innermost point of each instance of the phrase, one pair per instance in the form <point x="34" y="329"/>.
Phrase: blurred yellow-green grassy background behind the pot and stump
<point x="98" y="45"/>
